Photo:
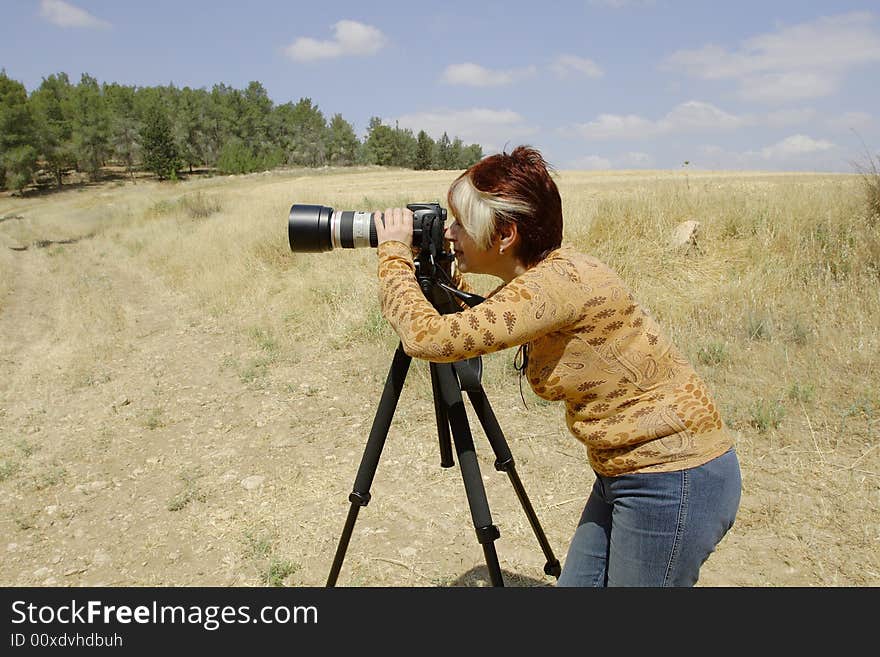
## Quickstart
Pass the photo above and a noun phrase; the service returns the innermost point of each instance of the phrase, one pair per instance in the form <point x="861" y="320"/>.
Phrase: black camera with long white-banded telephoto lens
<point x="316" y="228"/>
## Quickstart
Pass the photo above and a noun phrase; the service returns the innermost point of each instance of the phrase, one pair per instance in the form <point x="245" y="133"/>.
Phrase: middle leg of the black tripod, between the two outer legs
<point x="470" y="469"/>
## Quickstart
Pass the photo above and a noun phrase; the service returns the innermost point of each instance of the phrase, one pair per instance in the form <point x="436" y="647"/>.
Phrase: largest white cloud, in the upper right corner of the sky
<point x="807" y="60"/>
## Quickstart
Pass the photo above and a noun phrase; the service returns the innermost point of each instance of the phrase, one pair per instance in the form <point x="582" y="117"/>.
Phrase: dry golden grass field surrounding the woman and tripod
<point x="185" y="402"/>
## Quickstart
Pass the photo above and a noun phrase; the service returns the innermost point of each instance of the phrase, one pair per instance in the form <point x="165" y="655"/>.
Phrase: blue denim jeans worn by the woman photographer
<point x="653" y="529"/>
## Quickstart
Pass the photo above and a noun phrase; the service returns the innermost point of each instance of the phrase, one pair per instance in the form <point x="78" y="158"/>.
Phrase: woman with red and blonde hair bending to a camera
<point x="667" y="482"/>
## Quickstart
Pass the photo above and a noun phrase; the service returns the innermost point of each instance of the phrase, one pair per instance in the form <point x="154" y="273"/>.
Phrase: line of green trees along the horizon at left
<point x="61" y="127"/>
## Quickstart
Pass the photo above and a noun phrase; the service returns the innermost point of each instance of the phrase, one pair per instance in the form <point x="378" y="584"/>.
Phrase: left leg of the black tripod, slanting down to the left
<point x="360" y="495"/>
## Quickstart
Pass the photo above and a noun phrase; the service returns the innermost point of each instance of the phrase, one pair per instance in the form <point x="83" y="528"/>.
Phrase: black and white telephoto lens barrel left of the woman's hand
<point x="316" y="228"/>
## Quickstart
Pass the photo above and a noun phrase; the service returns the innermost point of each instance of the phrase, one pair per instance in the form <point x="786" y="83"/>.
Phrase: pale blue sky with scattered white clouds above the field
<point x="595" y="84"/>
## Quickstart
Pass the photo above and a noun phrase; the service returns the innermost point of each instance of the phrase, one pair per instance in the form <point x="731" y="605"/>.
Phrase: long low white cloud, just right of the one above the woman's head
<point x="692" y="116"/>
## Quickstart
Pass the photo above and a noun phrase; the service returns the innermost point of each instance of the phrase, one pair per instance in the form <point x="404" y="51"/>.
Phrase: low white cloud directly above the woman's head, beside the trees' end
<point x="492" y="129"/>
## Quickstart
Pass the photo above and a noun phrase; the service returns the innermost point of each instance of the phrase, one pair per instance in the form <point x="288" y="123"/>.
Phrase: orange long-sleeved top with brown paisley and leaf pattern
<point x="630" y="397"/>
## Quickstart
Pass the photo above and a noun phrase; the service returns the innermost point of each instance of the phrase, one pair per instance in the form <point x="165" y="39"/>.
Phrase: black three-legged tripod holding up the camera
<point x="448" y="381"/>
